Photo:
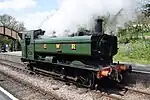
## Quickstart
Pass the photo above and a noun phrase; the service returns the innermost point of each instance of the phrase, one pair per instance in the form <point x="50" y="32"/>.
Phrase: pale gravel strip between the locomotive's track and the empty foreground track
<point x="48" y="84"/>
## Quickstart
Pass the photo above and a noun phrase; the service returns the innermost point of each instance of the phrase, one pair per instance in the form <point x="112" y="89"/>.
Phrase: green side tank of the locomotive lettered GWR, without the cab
<point x="83" y="45"/>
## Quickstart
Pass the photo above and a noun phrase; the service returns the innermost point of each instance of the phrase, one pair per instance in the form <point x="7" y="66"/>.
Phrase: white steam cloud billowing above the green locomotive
<point x="75" y="13"/>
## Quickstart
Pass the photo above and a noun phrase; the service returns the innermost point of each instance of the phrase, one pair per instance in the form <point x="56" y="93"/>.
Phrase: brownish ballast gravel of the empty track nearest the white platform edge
<point x="21" y="91"/>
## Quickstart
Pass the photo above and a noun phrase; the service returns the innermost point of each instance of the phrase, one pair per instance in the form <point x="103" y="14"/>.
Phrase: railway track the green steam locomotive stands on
<point x="21" y="67"/>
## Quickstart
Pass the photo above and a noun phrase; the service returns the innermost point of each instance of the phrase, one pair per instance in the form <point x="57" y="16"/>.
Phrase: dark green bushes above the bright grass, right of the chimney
<point x="134" y="29"/>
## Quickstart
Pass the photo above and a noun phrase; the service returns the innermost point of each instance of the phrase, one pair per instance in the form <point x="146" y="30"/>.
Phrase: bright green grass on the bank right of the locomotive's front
<point x="137" y="51"/>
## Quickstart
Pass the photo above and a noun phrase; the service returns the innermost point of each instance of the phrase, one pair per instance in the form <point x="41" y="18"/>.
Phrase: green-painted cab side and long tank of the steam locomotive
<point x="83" y="45"/>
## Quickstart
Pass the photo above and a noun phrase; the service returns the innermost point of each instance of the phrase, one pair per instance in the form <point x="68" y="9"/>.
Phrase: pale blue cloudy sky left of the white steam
<point x="32" y="12"/>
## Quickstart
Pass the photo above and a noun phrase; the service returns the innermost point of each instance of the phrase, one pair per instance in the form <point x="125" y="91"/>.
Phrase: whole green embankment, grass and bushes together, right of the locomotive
<point x="134" y="40"/>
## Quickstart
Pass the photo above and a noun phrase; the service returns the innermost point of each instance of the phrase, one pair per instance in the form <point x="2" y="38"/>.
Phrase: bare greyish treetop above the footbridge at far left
<point x="11" y="22"/>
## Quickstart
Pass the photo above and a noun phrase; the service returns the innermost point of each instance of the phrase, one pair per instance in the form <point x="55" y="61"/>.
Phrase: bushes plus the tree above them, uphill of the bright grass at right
<point x="134" y="29"/>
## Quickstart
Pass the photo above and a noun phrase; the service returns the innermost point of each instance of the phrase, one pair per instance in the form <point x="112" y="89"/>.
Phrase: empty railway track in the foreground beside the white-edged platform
<point x="23" y="91"/>
